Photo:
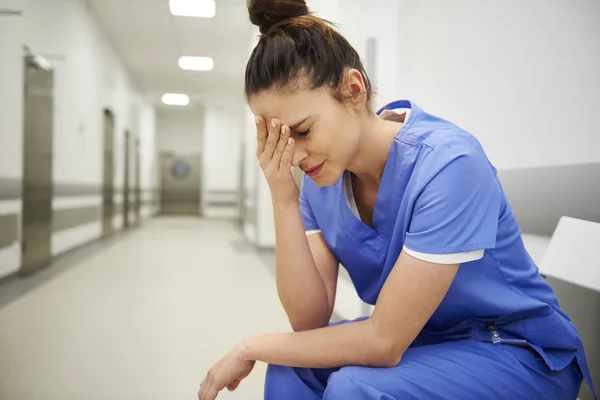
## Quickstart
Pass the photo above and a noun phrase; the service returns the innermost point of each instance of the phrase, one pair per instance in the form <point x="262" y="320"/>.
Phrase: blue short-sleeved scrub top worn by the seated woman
<point x="439" y="195"/>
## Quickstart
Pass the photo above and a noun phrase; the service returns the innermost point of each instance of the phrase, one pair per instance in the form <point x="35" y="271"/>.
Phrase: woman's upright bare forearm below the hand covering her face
<point x="299" y="284"/>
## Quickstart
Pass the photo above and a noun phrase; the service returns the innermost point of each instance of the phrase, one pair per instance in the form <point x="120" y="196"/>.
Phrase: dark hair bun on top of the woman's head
<point x="267" y="13"/>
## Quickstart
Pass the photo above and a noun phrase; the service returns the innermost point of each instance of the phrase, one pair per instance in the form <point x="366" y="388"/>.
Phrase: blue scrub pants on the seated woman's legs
<point x="463" y="369"/>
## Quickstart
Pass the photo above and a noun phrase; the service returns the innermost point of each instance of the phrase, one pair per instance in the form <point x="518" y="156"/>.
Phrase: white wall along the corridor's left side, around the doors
<point x="89" y="76"/>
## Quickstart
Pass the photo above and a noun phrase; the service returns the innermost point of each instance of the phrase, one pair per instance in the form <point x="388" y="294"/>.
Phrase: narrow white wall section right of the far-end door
<point x="223" y="133"/>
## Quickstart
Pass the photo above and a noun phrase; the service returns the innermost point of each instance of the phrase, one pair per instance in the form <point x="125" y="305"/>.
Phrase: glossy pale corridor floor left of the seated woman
<point x="140" y="318"/>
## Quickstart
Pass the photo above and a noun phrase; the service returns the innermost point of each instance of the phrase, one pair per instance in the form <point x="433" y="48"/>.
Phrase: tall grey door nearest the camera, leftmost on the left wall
<point x="37" y="165"/>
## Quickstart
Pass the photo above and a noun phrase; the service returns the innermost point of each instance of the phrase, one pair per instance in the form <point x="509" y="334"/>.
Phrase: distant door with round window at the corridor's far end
<point x="180" y="184"/>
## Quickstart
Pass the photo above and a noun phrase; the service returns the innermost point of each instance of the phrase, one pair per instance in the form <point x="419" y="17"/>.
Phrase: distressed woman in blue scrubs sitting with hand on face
<point x="412" y="208"/>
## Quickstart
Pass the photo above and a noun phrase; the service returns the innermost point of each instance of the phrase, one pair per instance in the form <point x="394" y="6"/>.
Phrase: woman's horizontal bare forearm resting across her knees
<point x="354" y="343"/>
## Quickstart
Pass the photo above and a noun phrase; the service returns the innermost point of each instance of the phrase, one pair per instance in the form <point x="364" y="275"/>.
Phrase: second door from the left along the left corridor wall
<point x="108" y="188"/>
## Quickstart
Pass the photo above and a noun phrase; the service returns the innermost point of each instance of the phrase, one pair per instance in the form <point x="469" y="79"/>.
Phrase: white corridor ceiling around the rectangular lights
<point x="150" y="41"/>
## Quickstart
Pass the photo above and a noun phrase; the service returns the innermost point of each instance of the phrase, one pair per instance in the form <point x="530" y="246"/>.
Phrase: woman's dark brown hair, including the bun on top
<point x="295" y="44"/>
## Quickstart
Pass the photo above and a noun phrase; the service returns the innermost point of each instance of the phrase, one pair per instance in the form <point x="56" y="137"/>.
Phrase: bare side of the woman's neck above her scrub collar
<point x="377" y="136"/>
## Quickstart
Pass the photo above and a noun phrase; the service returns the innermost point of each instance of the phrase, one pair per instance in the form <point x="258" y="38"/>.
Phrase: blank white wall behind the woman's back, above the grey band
<point x="522" y="76"/>
